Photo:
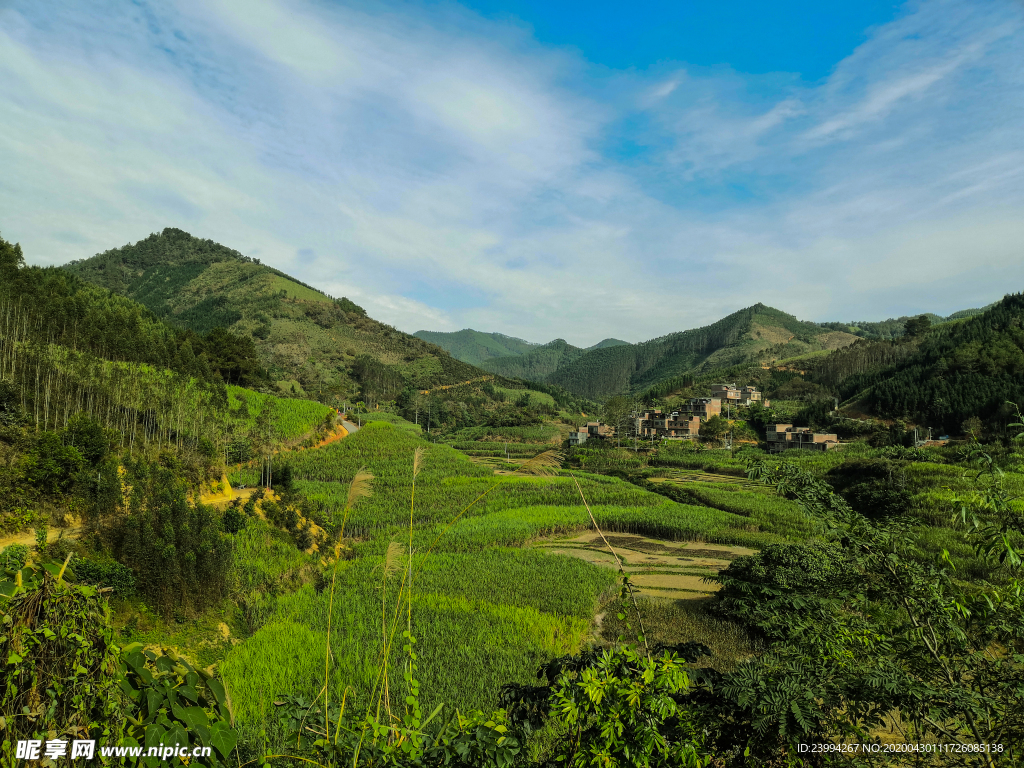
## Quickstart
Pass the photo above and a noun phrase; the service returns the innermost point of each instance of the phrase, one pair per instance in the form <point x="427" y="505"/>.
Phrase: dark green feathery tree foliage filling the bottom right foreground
<point x="863" y="628"/>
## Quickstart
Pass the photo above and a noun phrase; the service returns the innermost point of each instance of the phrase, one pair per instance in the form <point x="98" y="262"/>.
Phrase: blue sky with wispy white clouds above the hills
<point x="540" y="169"/>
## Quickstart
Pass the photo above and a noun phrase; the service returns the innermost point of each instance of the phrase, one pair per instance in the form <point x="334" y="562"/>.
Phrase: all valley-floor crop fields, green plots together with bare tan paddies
<point x="507" y="571"/>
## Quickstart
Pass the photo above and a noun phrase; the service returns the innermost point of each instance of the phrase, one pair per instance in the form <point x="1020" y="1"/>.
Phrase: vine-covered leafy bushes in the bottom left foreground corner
<point x="67" y="679"/>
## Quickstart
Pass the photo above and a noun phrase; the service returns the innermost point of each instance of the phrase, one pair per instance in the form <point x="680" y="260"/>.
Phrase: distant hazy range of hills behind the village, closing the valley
<point x="605" y="371"/>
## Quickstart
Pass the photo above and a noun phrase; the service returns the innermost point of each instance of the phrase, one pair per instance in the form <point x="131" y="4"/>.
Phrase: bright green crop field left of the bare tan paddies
<point x="486" y="611"/>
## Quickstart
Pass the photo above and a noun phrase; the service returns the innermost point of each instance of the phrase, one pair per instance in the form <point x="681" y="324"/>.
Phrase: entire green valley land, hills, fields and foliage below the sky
<point x="318" y="525"/>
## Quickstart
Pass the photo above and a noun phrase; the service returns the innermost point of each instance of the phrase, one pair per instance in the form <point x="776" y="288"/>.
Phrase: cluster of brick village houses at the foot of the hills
<point x="685" y="423"/>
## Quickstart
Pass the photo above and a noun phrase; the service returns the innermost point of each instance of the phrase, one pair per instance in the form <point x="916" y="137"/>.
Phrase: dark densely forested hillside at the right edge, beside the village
<point x="942" y="378"/>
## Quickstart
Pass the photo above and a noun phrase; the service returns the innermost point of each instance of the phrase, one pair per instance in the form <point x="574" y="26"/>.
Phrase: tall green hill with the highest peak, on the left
<point x="309" y="342"/>
